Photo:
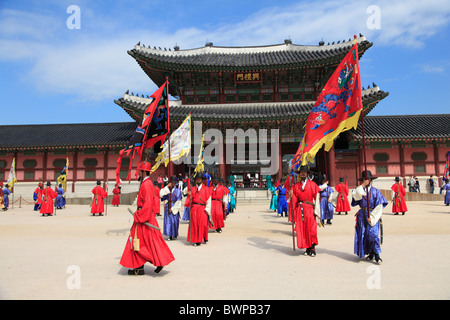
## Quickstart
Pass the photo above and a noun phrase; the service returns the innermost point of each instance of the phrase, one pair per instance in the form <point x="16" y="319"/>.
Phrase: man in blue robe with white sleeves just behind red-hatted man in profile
<point x="173" y="196"/>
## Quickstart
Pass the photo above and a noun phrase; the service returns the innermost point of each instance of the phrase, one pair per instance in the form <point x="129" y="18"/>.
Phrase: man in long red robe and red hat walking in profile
<point x="151" y="245"/>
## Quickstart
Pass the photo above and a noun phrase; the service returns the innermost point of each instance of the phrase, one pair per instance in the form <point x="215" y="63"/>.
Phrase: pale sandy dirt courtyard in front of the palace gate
<point x="74" y="255"/>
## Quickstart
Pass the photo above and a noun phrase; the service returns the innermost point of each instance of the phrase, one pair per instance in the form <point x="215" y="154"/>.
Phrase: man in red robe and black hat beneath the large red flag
<point x="307" y="210"/>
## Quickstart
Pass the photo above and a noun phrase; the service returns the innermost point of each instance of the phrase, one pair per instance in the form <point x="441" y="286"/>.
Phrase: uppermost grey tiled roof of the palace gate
<point x="245" y="58"/>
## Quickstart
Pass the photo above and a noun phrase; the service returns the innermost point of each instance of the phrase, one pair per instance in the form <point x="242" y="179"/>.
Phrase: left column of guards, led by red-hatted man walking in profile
<point x="207" y="205"/>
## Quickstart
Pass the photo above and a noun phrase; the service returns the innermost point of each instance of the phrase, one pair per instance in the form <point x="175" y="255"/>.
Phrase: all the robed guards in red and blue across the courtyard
<point x="305" y="202"/>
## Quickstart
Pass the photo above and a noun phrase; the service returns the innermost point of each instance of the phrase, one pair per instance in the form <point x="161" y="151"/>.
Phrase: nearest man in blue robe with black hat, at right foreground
<point x="368" y="219"/>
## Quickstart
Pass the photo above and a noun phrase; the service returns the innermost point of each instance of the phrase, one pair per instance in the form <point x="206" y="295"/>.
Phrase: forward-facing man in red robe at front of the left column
<point x="200" y="210"/>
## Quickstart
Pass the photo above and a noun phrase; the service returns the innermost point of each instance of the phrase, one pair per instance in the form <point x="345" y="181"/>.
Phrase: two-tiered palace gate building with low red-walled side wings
<point x="258" y="87"/>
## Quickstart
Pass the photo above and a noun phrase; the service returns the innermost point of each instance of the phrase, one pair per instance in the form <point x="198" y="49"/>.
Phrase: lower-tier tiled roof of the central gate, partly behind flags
<point x="135" y="107"/>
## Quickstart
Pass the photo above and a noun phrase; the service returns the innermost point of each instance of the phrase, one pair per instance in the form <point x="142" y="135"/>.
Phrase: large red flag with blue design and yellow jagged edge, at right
<point x="337" y="108"/>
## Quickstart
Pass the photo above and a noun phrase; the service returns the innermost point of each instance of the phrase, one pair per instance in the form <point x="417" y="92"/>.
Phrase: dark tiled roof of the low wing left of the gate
<point x="64" y="135"/>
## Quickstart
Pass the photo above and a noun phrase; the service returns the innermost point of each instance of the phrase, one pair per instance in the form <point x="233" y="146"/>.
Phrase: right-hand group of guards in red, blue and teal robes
<point x="312" y="202"/>
